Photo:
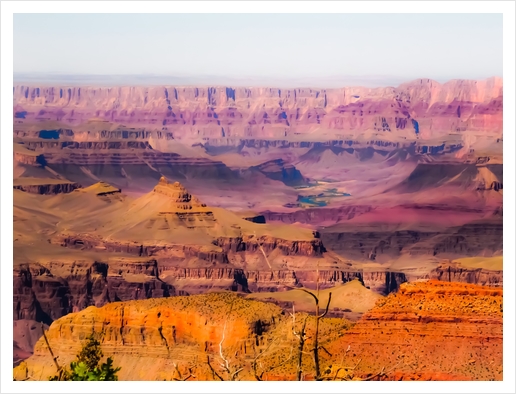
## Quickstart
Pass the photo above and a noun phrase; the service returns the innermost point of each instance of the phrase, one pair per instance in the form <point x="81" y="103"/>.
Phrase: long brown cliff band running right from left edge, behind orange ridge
<point x="47" y="292"/>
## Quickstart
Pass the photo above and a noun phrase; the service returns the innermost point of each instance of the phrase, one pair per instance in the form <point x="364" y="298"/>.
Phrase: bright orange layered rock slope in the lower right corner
<point x="452" y="331"/>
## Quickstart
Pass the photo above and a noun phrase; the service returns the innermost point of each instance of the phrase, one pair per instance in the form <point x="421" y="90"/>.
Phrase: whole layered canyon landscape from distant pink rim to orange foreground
<point x="154" y="197"/>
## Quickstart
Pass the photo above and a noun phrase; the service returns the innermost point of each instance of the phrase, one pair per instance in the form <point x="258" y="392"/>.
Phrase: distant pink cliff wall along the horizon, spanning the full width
<point x="422" y="107"/>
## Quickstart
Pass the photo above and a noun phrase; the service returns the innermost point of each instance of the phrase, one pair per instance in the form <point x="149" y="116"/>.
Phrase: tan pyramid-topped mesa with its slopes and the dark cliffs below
<point x="105" y="247"/>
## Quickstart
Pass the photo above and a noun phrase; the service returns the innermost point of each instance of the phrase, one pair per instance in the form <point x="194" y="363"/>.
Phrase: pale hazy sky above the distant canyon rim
<point x="300" y="48"/>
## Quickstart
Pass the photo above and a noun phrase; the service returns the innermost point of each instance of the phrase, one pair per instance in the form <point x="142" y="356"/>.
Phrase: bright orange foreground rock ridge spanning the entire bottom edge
<point x="426" y="331"/>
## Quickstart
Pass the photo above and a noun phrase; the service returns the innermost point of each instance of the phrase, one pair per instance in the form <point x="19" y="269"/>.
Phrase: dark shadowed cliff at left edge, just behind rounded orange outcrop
<point x="46" y="293"/>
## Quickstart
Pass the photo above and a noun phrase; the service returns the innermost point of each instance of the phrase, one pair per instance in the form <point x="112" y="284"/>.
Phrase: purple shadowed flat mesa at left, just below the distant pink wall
<point x="119" y="161"/>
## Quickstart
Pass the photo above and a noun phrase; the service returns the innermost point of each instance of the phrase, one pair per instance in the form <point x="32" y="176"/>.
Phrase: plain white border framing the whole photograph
<point x="507" y="8"/>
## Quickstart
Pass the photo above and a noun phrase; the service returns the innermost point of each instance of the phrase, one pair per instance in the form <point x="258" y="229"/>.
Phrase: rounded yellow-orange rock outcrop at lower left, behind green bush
<point x="184" y="329"/>
